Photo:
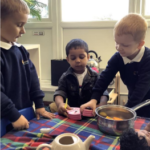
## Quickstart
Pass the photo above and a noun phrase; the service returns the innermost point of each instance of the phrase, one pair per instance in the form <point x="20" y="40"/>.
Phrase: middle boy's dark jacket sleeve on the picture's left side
<point x="62" y="88"/>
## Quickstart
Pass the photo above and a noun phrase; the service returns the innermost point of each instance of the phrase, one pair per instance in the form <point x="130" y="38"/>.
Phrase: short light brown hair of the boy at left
<point x="8" y="7"/>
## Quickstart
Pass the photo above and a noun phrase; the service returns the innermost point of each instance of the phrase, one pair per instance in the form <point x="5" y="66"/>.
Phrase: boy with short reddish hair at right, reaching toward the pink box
<point x="132" y="61"/>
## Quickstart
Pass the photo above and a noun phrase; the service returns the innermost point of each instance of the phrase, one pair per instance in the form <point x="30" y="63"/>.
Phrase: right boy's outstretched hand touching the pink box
<point x="92" y="104"/>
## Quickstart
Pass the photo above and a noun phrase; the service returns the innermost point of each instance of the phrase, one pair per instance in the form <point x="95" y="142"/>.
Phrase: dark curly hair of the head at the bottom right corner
<point x="129" y="140"/>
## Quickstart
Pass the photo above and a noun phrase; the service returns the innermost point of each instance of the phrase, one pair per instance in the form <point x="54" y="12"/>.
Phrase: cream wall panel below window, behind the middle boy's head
<point x="99" y="40"/>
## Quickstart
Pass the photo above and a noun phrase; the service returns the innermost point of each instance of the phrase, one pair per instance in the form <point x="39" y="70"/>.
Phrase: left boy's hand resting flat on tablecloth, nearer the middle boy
<point x="44" y="113"/>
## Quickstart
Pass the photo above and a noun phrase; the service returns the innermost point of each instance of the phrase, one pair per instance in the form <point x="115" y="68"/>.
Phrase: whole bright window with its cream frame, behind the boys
<point x="88" y="13"/>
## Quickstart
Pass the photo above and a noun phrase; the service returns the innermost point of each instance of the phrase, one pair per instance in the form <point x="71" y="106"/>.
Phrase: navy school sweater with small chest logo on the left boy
<point x="19" y="83"/>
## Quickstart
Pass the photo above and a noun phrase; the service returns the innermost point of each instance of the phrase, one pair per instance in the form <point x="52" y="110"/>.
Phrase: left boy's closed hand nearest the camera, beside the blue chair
<point x="21" y="123"/>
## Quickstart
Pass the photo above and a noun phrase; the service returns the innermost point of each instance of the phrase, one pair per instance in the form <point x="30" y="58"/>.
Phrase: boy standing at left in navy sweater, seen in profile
<point x="19" y="80"/>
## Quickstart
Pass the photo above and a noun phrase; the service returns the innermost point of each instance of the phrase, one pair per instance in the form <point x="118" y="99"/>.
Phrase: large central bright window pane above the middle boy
<point x="93" y="10"/>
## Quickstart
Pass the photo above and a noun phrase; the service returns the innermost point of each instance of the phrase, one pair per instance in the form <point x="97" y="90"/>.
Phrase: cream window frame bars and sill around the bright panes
<point x="135" y="6"/>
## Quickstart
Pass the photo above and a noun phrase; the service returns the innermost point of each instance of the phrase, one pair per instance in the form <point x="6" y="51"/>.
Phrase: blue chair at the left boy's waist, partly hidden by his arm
<point x="28" y="113"/>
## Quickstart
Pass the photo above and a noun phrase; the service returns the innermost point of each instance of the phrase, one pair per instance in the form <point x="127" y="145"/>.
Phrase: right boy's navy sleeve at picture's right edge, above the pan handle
<point x="142" y="86"/>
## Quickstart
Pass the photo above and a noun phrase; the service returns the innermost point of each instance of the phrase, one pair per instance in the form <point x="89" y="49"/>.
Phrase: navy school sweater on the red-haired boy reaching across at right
<point x="136" y="76"/>
